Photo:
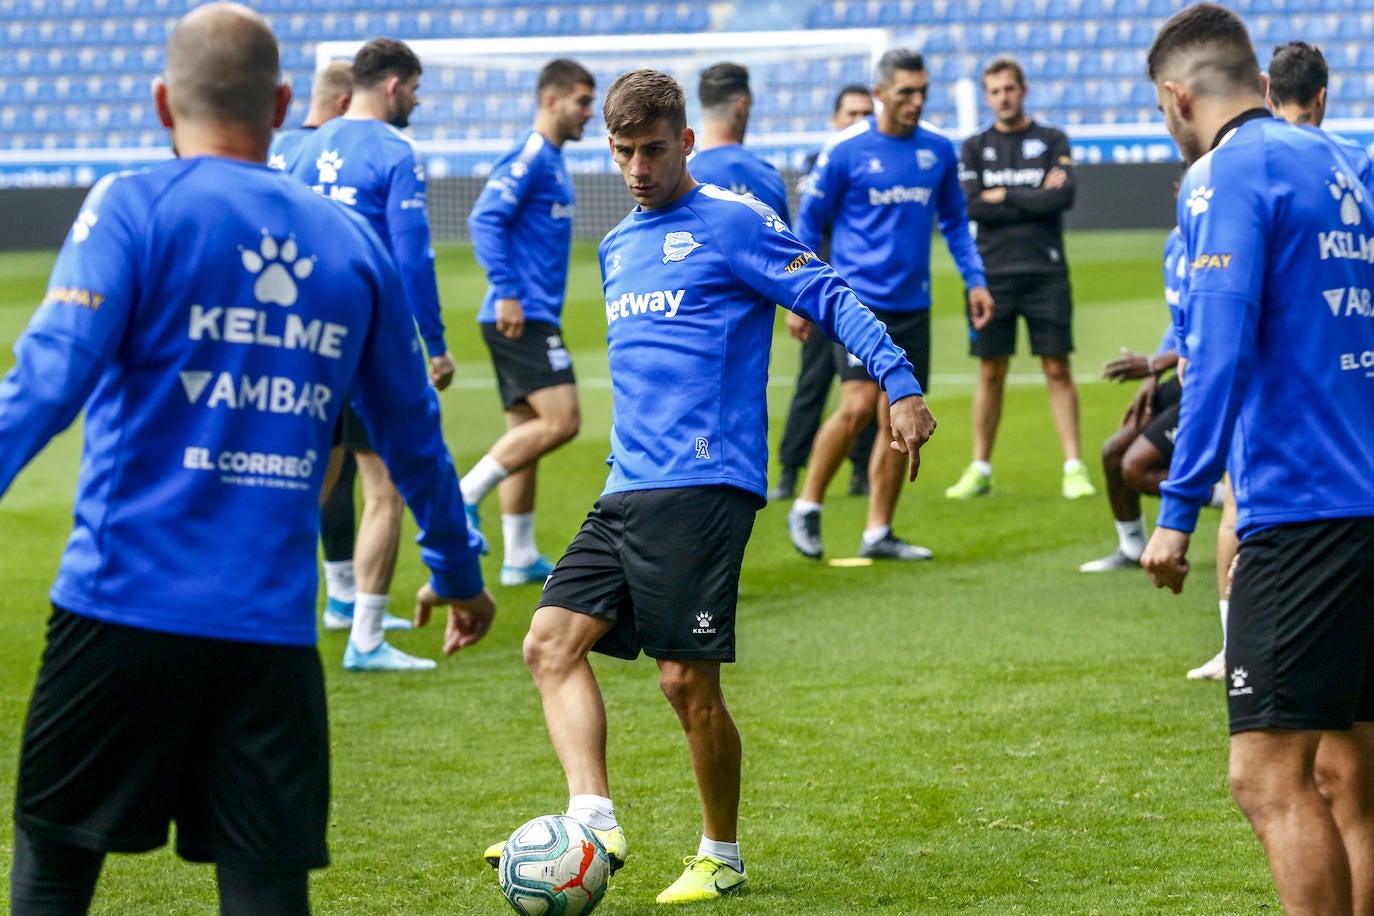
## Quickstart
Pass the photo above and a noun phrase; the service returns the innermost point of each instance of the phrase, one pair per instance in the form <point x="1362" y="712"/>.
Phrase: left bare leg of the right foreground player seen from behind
<point x="1272" y="781"/>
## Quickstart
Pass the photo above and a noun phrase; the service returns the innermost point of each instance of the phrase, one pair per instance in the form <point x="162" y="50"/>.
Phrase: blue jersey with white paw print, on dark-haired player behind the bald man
<point x="376" y="170"/>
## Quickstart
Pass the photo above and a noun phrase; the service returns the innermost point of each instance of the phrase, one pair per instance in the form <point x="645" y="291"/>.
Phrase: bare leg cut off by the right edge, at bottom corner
<point x="1346" y="779"/>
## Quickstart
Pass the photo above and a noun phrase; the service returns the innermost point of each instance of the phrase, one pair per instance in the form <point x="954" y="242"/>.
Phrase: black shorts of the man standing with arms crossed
<point x="1045" y="300"/>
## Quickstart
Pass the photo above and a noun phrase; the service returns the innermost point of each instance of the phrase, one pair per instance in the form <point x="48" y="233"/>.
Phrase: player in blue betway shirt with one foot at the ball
<point x="692" y="278"/>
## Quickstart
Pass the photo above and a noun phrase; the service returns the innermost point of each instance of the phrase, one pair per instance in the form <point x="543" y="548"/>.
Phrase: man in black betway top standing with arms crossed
<point x="1019" y="179"/>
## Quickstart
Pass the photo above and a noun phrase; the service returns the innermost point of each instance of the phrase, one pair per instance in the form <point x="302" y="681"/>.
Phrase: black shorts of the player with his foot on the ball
<point x="663" y="565"/>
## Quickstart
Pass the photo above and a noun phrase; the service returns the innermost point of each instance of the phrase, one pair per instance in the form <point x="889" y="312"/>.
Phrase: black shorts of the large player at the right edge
<point x="1300" y="632"/>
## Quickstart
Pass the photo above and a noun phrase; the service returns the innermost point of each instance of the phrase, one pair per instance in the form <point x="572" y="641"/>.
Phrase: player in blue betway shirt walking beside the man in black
<point x="881" y="187"/>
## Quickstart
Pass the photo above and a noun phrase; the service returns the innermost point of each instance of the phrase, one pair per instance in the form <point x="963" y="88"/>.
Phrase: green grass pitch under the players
<point x="989" y="733"/>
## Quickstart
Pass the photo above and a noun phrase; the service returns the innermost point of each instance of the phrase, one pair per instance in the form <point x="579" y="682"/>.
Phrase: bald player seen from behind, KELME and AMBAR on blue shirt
<point x="211" y="315"/>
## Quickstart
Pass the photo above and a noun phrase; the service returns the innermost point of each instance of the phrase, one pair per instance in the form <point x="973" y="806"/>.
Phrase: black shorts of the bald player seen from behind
<point x="131" y="730"/>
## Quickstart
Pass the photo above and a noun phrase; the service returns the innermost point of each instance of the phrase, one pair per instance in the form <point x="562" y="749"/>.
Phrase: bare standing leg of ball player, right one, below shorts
<point x="693" y="689"/>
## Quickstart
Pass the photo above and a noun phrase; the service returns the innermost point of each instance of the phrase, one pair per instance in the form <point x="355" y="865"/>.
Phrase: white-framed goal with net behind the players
<point x="479" y="94"/>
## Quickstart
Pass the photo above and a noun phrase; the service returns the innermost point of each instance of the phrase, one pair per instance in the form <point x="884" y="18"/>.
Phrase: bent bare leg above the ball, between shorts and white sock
<point x="556" y="652"/>
